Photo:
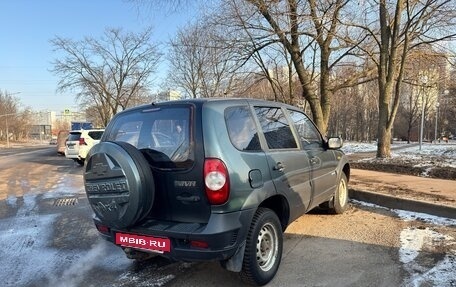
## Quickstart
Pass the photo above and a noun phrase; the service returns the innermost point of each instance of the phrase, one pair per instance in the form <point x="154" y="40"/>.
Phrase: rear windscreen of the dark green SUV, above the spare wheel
<point x="162" y="134"/>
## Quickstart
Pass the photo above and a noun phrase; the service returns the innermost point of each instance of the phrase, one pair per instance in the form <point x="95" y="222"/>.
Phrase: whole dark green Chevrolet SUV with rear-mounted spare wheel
<point x="212" y="179"/>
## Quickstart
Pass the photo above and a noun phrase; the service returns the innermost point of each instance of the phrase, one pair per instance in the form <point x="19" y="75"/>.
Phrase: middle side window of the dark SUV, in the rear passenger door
<point x="276" y="128"/>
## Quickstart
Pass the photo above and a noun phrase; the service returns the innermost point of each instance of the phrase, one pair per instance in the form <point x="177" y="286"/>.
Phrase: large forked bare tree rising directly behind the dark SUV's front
<point x="309" y="33"/>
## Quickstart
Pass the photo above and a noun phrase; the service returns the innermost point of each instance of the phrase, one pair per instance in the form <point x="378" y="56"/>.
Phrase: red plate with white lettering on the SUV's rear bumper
<point x="156" y="244"/>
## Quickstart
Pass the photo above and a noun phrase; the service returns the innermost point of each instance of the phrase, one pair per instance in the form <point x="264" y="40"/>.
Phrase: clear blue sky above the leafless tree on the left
<point x="27" y="26"/>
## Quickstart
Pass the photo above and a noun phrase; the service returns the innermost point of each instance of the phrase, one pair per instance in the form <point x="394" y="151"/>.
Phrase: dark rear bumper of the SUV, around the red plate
<point x="223" y="234"/>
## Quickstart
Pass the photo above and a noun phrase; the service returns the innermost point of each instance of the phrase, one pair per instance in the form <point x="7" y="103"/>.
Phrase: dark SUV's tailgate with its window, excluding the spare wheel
<point x="167" y="137"/>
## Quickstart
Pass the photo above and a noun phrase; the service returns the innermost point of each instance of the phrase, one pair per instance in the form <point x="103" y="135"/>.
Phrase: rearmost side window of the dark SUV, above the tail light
<point x="241" y="128"/>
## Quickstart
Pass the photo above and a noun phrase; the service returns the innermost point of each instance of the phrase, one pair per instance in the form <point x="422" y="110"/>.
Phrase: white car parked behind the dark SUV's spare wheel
<point x="79" y="143"/>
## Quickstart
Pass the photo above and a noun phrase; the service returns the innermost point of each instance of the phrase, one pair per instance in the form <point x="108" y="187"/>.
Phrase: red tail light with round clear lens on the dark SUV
<point x="216" y="181"/>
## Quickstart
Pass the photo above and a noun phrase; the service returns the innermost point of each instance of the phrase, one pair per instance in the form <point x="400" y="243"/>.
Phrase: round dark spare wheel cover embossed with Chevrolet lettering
<point x="119" y="183"/>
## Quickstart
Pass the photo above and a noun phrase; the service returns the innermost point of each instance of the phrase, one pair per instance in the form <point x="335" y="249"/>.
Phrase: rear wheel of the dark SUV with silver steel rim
<point x="263" y="250"/>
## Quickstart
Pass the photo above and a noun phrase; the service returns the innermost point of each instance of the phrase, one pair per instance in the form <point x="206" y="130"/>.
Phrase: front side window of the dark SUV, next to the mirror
<point x="308" y="133"/>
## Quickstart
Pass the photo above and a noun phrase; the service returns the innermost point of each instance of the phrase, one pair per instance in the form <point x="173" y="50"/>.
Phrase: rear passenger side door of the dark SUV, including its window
<point x="289" y="166"/>
